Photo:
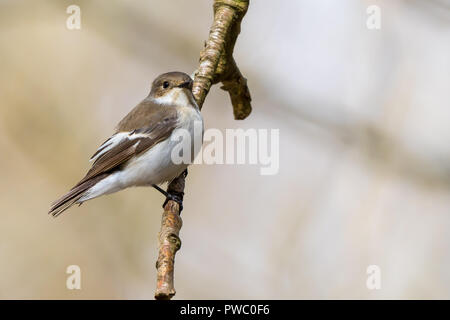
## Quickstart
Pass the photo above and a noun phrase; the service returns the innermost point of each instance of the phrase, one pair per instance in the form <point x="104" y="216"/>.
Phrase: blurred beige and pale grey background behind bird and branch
<point x="364" y="179"/>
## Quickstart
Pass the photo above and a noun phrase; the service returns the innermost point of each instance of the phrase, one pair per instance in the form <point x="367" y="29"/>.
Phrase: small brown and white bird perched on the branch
<point x="139" y="152"/>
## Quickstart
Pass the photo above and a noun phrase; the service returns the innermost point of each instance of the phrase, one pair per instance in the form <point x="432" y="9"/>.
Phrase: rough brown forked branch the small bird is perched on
<point x="216" y="65"/>
